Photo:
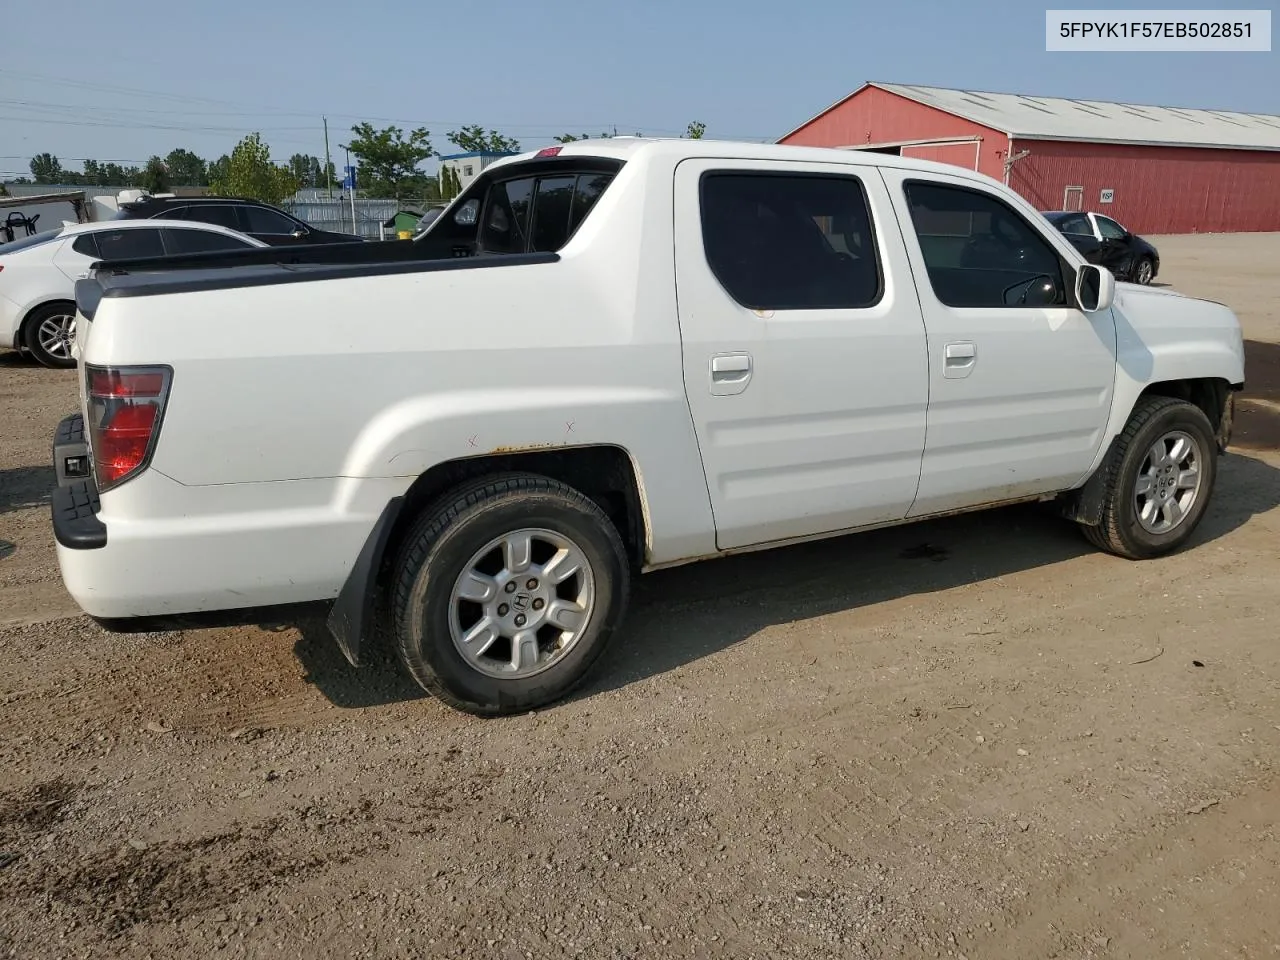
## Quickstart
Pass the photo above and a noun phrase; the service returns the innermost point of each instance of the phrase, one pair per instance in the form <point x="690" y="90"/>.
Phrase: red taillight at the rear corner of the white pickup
<point x="126" y="406"/>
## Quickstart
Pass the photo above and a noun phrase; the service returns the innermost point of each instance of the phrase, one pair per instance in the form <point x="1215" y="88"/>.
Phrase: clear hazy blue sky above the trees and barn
<point x="136" y="79"/>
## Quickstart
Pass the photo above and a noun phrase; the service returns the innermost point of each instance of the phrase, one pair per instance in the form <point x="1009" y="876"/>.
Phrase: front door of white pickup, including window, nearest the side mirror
<point x="1021" y="381"/>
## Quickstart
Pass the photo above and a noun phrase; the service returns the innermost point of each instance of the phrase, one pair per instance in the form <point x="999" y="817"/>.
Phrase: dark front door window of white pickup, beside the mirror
<point x="980" y="253"/>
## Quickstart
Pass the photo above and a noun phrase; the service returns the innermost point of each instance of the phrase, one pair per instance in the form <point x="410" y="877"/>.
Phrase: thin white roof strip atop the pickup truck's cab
<point x="630" y="149"/>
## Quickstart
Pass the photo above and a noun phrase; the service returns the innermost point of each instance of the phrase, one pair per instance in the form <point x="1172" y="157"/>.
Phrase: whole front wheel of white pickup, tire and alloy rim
<point x="1159" y="481"/>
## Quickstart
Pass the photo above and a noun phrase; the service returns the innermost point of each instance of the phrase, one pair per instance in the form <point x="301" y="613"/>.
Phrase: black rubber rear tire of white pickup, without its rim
<point x="438" y="550"/>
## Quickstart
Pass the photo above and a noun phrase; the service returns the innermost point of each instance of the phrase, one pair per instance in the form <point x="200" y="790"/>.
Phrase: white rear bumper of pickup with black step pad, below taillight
<point x="153" y="548"/>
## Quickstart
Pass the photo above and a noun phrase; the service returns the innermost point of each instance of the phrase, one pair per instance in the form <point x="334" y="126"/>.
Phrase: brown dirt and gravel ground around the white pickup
<point x="970" y="739"/>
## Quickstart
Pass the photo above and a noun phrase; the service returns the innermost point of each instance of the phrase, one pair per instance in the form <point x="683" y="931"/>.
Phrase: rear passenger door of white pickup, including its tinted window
<point x="804" y="350"/>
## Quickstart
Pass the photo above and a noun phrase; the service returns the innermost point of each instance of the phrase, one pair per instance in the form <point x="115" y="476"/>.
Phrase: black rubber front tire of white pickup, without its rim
<point x="1121" y="532"/>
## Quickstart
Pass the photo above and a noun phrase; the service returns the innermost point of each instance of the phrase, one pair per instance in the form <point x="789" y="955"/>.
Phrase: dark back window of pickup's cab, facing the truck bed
<point x="538" y="214"/>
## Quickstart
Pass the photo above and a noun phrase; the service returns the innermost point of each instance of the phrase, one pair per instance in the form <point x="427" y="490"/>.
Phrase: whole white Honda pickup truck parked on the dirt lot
<point x="607" y="359"/>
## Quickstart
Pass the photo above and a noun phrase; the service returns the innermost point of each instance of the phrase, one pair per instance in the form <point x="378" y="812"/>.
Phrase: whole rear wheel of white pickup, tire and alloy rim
<point x="508" y="593"/>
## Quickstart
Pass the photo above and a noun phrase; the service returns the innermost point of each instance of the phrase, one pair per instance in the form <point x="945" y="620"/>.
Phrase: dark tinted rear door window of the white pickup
<point x="790" y="241"/>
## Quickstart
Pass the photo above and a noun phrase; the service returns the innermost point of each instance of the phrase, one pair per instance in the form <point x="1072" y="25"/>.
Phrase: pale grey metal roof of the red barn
<point x="1094" y="121"/>
